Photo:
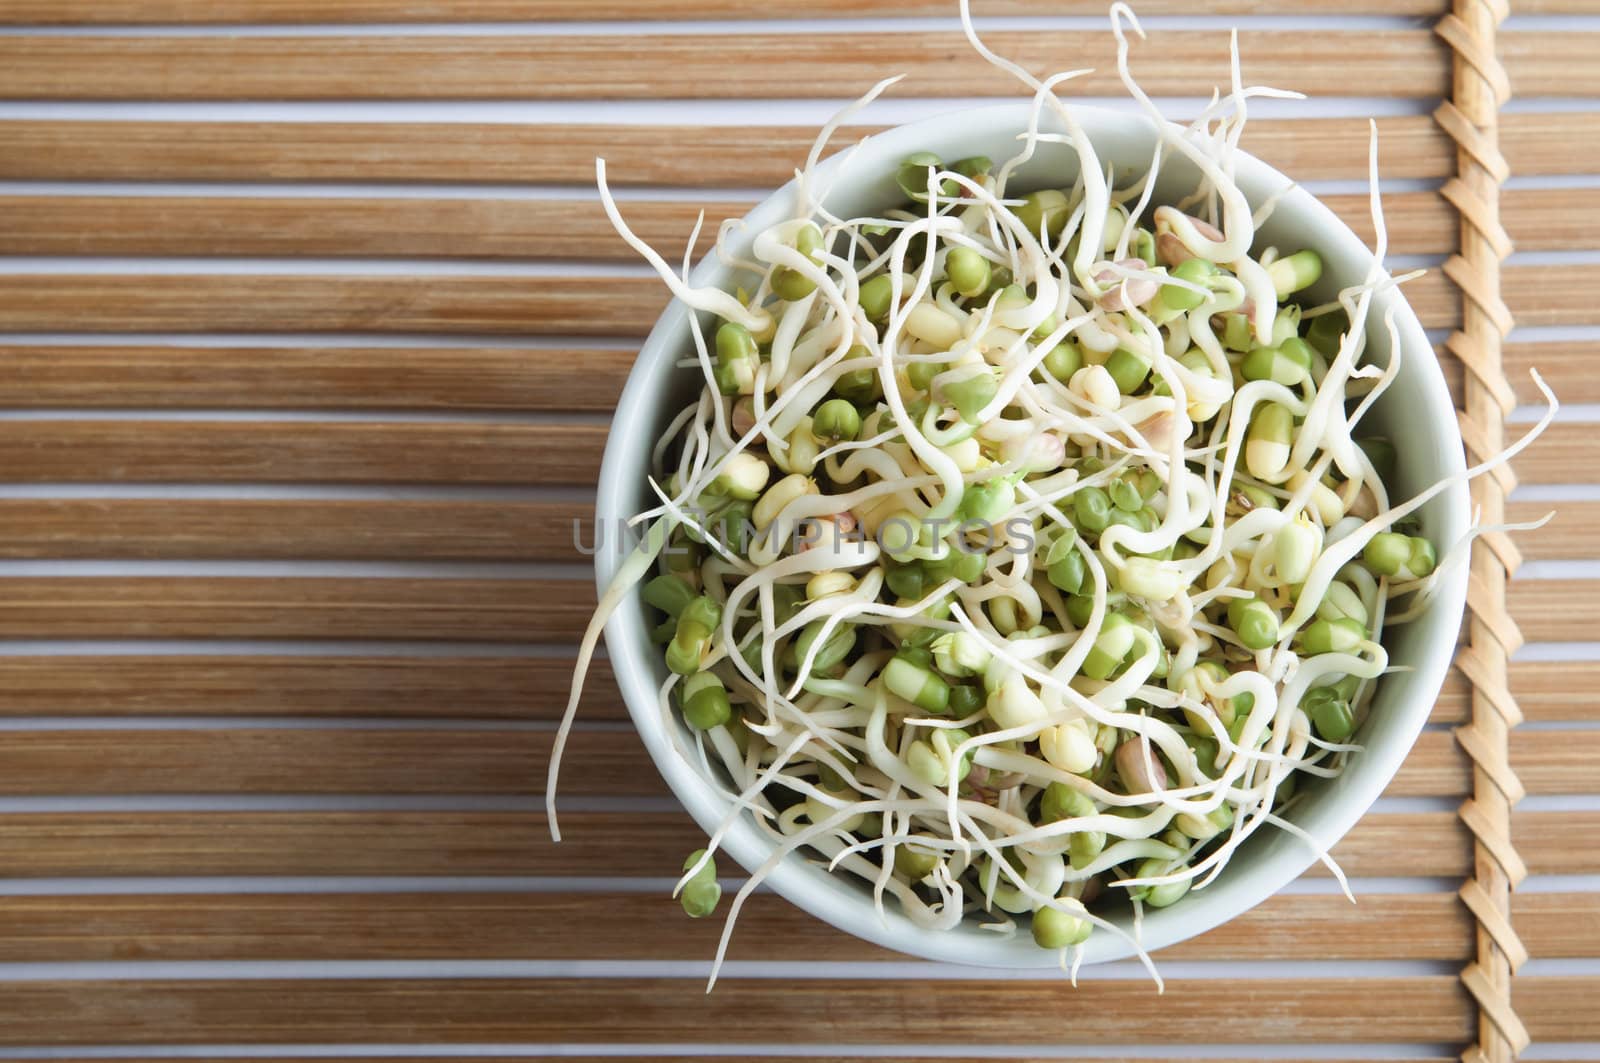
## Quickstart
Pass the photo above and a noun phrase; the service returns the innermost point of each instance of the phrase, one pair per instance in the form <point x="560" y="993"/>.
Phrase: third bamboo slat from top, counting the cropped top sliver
<point x="746" y="156"/>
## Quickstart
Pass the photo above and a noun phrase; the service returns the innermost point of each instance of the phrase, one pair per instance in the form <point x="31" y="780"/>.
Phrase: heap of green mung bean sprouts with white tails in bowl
<point x="1020" y="548"/>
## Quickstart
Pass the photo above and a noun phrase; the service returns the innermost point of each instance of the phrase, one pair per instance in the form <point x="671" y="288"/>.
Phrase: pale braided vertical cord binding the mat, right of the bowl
<point x="1471" y="118"/>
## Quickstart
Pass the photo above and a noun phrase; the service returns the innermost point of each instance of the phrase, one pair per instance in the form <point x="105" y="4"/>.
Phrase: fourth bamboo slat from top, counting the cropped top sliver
<point x="1420" y="223"/>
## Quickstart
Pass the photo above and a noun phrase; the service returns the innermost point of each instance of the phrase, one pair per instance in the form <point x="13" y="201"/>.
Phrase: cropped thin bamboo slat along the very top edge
<point x="177" y="12"/>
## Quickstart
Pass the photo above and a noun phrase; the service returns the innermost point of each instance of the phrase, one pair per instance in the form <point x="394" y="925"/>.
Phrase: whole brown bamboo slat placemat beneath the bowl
<point x="313" y="329"/>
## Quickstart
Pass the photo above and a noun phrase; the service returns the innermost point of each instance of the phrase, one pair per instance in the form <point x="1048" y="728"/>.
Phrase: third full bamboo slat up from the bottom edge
<point x="652" y="844"/>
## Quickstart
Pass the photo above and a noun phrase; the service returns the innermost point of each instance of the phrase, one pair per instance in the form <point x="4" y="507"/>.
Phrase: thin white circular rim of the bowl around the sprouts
<point x="620" y="478"/>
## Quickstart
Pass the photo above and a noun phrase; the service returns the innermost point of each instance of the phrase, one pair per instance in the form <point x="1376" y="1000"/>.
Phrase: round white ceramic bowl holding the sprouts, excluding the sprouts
<point x="1417" y="414"/>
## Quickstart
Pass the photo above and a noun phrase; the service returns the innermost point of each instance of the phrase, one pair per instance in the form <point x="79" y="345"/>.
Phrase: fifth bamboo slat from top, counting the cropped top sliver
<point x="498" y="305"/>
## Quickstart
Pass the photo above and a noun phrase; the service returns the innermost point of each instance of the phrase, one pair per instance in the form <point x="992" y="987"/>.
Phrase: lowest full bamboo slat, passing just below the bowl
<point x="652" y="1011"/>
